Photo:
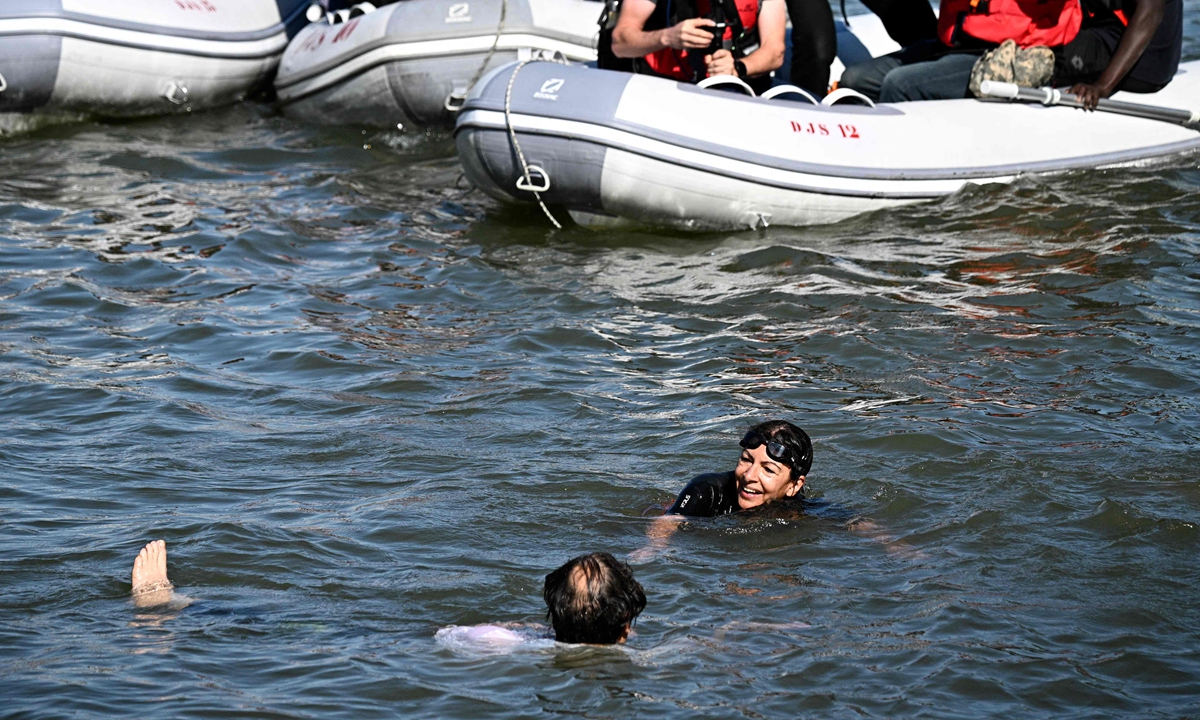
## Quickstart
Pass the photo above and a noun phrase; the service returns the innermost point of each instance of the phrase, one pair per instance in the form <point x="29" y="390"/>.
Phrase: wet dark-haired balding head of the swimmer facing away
<point x="601" y="610"/>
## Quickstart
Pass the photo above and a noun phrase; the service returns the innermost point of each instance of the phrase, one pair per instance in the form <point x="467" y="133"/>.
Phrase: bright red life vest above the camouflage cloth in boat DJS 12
<point x="1027" y="22"/>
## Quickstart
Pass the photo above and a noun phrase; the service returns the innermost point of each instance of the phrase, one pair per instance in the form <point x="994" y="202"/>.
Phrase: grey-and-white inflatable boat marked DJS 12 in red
<point x="613" y="148"/>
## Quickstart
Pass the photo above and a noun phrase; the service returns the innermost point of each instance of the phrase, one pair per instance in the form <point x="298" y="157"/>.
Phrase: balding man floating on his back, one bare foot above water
<point x="591" y="599"/>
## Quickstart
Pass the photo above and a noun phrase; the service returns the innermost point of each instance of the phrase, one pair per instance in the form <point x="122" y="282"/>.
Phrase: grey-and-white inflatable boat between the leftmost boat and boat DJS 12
<point x="412" y="63"/>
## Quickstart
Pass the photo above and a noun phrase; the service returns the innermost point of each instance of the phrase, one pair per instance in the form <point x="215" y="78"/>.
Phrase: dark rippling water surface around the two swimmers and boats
<point x="362" y="406"/>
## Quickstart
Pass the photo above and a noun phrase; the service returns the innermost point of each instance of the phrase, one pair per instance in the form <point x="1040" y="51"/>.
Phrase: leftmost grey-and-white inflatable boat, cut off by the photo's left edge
<point x="136" y="57"/>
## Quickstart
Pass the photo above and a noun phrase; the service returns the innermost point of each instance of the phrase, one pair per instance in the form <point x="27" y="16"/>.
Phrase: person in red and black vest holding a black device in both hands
<point x="692" y="40"/>
